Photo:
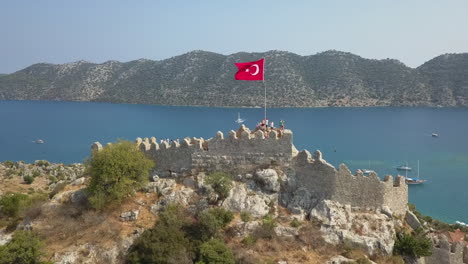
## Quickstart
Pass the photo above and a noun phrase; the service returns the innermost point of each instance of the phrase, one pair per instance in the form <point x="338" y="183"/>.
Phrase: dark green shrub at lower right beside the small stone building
<point x="413" y="245"/>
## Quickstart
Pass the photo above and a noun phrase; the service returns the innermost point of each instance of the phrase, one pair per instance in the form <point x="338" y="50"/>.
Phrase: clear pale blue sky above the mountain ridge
<point x="412" y="31"/>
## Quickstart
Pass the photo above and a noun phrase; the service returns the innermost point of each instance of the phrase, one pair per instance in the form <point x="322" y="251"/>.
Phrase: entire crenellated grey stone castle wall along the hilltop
<point x="244" y="152"/>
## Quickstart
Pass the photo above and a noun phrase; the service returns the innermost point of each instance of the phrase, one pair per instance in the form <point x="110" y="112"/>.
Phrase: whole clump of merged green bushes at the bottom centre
<point x="178" y="238"/>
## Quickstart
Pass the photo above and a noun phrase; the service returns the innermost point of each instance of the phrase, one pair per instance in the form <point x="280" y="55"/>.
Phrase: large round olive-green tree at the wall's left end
<point x="116" y="172"/>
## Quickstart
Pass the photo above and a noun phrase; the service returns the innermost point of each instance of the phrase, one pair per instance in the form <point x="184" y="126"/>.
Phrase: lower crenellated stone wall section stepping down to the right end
<point x="323" y="181"/>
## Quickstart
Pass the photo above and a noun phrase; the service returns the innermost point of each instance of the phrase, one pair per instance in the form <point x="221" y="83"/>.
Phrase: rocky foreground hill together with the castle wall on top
<point x="285" y="206"/>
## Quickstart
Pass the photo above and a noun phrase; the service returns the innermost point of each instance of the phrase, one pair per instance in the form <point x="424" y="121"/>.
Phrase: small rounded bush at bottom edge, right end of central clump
<point x="215" y="251"/>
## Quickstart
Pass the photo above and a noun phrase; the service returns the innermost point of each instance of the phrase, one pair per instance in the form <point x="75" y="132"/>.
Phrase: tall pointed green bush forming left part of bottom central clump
<point x="166" y="242"/>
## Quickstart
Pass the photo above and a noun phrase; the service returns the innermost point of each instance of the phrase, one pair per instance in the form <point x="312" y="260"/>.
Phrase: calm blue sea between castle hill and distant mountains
<point x="386" y="137"/>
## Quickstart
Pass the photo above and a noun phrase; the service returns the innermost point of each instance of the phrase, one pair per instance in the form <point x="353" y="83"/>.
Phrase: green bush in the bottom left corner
<point x="24" y="248"/>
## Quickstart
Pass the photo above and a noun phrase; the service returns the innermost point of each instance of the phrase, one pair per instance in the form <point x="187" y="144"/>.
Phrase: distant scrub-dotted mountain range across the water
<point x="200" y="78"/>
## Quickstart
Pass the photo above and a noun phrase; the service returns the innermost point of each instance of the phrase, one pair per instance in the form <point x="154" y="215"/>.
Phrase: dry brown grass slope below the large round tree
<point x="66" y="225"/>
